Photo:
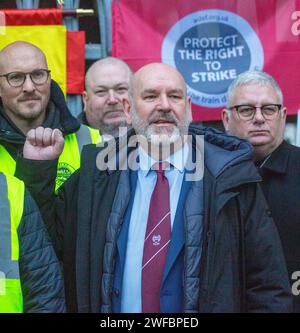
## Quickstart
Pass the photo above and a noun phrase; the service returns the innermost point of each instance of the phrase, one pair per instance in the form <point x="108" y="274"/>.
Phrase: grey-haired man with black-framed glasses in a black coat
<point x="255" y="112"/>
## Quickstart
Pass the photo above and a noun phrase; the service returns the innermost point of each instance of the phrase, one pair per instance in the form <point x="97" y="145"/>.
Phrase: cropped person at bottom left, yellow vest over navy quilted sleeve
<point x="30" y="276"/>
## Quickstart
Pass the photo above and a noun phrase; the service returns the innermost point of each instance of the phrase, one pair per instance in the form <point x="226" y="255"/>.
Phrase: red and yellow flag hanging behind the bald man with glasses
<point x="45" y="29"/>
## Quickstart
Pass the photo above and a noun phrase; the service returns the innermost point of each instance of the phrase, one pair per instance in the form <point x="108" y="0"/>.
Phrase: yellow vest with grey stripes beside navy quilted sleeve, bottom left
<point x="11" y="211"/>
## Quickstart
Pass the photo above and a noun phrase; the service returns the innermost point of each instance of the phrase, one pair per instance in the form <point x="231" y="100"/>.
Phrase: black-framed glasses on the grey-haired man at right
<point x="247" y="112"/>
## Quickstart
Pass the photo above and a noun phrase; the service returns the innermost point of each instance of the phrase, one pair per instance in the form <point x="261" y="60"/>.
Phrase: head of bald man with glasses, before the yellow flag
<point x="24" y="104"/>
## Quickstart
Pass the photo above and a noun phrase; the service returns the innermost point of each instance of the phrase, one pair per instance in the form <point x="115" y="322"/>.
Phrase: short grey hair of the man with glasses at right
<point x="254" y="77"/>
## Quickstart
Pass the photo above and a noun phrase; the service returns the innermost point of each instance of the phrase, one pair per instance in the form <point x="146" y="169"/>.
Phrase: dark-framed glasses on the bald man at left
<point x="17" y="79"/>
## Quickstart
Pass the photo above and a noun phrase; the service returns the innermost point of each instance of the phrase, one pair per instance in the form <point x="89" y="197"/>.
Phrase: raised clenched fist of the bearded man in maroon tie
<point x="43" y="144"/>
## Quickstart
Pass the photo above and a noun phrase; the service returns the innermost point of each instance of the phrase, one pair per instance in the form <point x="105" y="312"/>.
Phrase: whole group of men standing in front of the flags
<point x="167" y="216"/>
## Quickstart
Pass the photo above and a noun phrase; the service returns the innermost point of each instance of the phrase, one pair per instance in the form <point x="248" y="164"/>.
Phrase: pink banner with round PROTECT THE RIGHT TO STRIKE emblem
<point x="211" y="42"/>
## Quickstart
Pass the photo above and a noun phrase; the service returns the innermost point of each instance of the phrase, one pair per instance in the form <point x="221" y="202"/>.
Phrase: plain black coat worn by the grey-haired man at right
<point x="281" y="186"/>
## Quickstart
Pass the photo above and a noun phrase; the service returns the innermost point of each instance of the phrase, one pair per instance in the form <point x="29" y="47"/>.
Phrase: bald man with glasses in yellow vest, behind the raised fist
<point x="29" y="98"/>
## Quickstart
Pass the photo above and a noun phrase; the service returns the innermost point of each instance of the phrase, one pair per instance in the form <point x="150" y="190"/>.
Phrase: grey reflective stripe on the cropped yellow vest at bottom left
<point x="8" y="266"/>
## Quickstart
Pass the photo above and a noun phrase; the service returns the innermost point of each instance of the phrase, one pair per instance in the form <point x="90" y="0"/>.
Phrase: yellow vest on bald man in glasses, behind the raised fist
<point x="69" y="160"/>
